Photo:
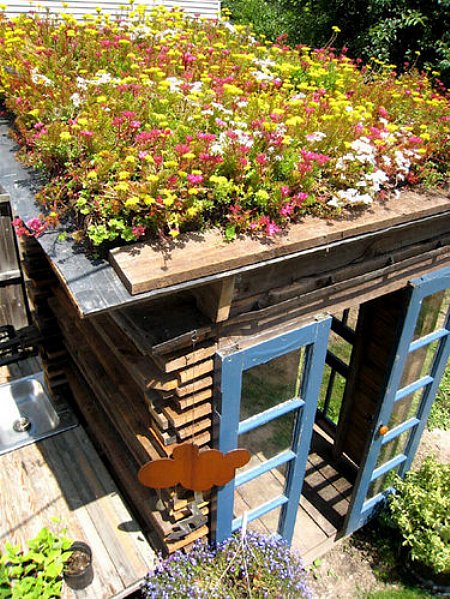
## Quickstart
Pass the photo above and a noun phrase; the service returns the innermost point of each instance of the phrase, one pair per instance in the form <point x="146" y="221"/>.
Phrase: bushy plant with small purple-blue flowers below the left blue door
<point x="251" y="566"/>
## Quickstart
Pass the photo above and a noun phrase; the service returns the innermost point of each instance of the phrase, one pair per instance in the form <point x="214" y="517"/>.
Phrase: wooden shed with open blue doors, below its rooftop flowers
<point x="319" y="351"/>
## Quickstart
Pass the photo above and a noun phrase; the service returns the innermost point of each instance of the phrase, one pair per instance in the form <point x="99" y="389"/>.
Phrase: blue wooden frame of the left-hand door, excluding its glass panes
<point x="314" y="337"/>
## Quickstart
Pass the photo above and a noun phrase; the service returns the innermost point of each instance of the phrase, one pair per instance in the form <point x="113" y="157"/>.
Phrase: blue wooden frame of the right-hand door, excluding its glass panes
<point x="361" y="510"/>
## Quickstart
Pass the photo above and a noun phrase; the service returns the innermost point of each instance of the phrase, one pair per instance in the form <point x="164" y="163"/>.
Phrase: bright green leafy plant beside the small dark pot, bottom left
<point x="35" y="573"/>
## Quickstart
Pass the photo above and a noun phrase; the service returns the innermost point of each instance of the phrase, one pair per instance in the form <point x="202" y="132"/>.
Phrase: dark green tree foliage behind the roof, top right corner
<point x="417" y="31"/>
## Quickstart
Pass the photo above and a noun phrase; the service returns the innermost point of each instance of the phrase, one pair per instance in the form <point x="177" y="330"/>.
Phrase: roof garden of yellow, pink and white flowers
<point x="155" y="124"/>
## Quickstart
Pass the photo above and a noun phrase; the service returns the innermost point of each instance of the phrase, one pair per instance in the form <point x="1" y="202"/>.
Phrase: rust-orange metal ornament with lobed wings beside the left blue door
<point x="193" y="469"/>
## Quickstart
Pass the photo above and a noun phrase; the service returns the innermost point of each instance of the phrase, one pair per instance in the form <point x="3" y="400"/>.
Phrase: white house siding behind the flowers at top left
<point x="79" y="8"/>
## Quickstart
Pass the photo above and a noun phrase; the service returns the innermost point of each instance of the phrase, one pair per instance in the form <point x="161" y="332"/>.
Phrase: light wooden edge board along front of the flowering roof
<point x="144" y="267"/>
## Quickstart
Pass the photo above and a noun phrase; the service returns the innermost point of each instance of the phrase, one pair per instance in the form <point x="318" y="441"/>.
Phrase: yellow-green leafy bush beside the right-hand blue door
<point x="420" y="509"/>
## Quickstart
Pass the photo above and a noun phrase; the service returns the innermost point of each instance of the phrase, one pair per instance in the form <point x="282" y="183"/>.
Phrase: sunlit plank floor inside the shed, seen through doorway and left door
<point x="324" y="502"/>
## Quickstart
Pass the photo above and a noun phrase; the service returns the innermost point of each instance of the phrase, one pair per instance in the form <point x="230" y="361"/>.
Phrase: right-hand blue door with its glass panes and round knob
<point x="407" y="401"/>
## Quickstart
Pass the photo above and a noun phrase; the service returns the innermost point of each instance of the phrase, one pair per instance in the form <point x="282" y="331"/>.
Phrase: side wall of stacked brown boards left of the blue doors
<point x="143" y="390"/>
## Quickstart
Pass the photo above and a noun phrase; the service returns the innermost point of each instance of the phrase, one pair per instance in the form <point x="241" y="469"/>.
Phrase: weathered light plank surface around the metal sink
<point x="63" y="477"/>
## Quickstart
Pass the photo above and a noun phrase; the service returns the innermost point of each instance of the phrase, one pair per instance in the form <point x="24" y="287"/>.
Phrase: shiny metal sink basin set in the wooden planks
<point x="27" y="414"/>
